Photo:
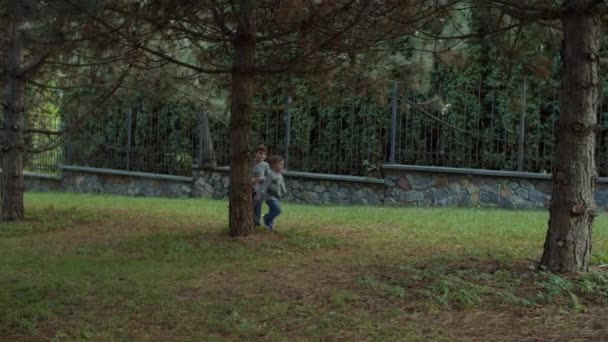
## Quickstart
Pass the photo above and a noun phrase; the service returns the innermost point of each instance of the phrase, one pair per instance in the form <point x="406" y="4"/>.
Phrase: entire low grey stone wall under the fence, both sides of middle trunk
<point x="402" y="185"/>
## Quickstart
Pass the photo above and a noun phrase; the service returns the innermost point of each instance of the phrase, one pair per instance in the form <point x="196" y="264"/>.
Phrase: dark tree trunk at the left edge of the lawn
<point x="11" y="181"/>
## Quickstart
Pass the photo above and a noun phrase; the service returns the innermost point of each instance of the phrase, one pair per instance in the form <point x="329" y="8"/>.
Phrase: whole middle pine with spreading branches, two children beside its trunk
<point x="247" y="39"/>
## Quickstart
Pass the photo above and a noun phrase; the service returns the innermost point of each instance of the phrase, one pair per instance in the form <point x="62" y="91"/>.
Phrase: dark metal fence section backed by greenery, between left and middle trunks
<point x="160" y="140"/>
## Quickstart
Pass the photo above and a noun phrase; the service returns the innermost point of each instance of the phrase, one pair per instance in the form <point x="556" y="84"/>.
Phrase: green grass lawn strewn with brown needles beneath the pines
<point x="107" y="268"/>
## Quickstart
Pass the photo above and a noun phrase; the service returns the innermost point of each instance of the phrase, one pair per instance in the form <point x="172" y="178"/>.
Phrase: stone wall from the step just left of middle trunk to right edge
<point x="407" y="185"/>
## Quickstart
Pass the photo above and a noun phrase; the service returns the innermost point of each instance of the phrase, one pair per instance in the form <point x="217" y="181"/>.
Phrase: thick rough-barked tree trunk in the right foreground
<point x="568" y="242"/>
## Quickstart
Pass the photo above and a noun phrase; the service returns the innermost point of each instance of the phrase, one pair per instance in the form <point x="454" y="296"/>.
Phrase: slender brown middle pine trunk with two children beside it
<point x="241" y="107"/>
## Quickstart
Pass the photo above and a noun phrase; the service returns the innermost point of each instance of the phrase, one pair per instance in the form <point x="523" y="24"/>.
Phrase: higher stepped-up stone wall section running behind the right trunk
<point x="432" y="186"/>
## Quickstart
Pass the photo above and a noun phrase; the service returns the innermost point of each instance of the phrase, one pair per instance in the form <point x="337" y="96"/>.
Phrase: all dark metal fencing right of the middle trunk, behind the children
<point x="501" y="128"/>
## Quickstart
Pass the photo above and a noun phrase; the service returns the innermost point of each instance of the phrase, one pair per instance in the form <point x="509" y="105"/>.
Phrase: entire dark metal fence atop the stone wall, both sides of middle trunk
<point x="503" y="128"/>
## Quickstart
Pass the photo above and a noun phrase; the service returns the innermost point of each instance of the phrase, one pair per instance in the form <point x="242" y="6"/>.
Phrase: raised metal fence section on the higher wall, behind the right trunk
<point x="497" y="128"/>
